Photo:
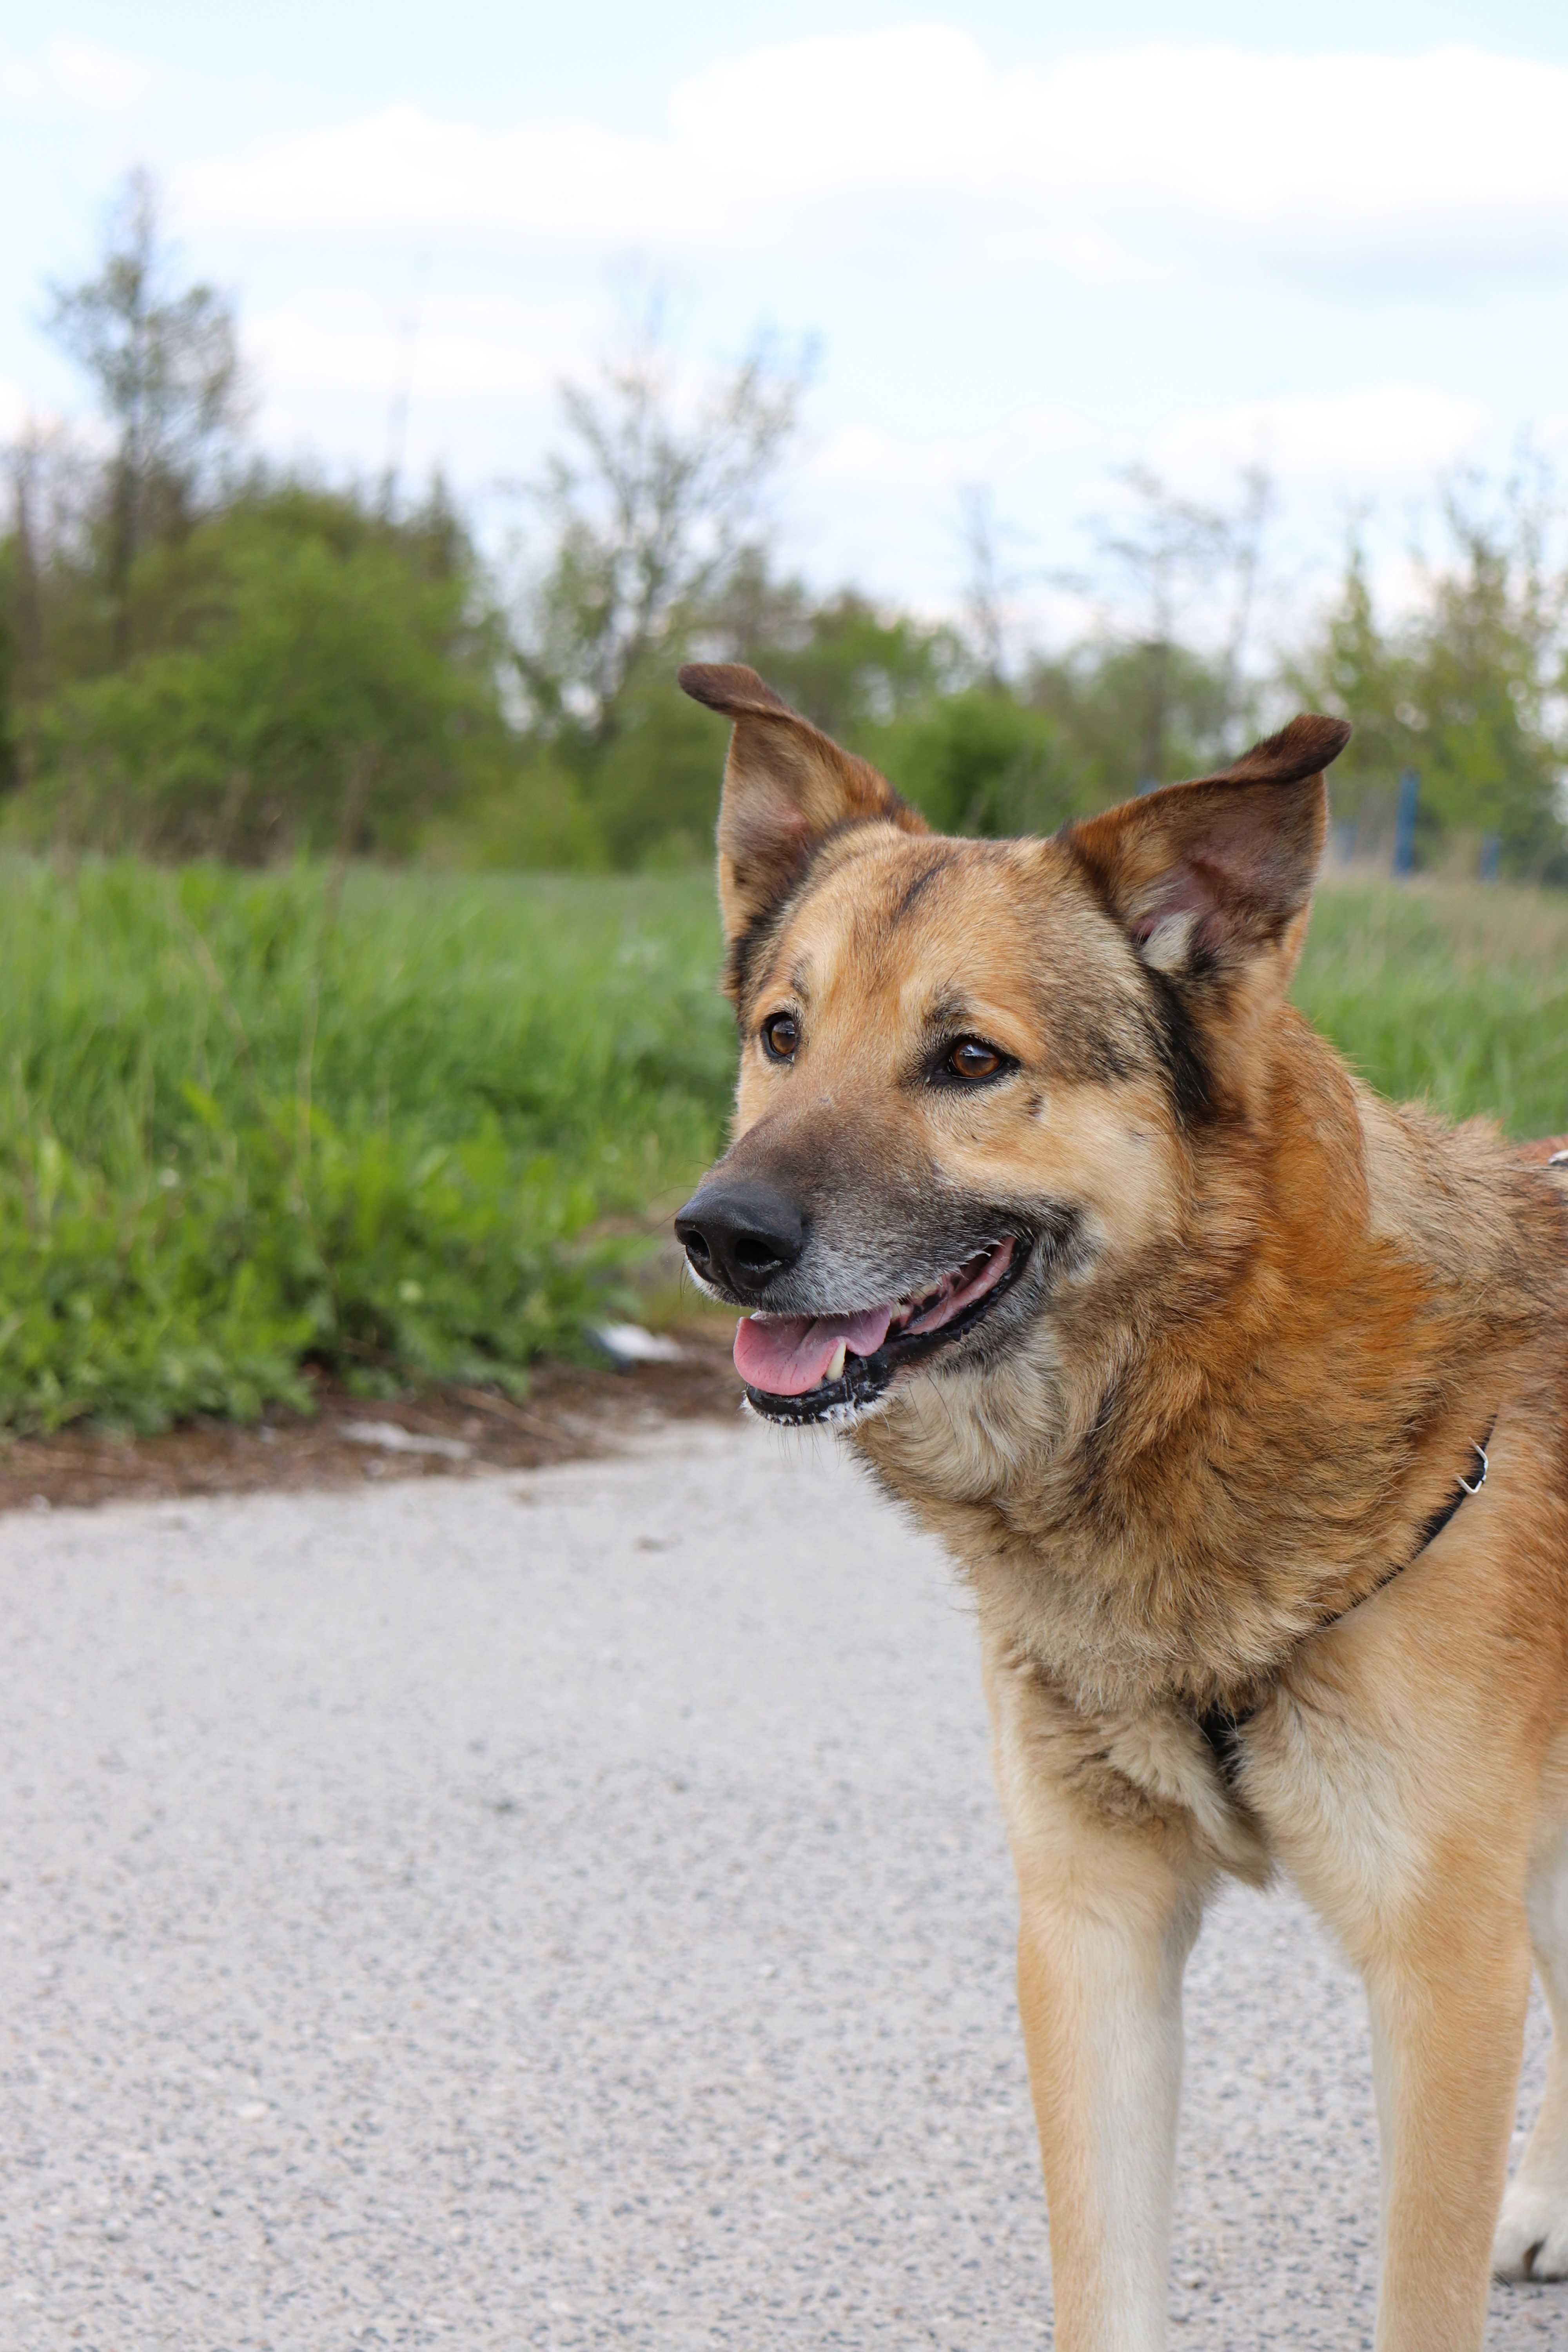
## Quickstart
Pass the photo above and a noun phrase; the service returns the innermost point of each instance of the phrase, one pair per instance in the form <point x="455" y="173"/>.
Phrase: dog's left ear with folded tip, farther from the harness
<point x="786" y="787"/>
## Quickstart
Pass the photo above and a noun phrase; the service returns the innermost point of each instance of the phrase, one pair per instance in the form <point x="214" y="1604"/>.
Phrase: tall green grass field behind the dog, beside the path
<point x="398" y="1128"/>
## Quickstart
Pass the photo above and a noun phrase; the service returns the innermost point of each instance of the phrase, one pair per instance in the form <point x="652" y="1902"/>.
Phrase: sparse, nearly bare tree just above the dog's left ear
<point x="655" y="509"/>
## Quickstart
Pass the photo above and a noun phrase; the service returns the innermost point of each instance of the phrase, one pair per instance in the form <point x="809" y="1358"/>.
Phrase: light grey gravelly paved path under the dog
<point x="572" y="1911"/>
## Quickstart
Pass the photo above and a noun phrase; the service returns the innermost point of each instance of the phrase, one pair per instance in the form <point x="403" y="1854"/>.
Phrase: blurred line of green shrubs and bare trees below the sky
<point x="203" y="655"/>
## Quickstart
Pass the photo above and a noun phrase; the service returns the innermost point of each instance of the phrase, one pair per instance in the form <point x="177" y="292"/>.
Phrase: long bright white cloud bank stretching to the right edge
<point x="916" y="135"/>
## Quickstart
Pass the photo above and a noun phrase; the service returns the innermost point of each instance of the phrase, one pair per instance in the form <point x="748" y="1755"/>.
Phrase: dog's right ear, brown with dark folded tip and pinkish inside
<point x="1207" y="876"/>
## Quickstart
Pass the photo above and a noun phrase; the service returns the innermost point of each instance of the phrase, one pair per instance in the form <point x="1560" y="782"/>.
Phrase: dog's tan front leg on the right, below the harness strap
<point x="1400" y="1798"/>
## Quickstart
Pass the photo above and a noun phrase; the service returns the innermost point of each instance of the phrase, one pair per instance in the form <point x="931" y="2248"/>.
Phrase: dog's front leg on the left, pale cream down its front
<point x="1111" y="1899"/>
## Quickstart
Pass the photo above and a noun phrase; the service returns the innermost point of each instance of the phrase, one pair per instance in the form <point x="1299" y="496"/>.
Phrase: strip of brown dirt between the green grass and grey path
<point x="568" y="1415"/>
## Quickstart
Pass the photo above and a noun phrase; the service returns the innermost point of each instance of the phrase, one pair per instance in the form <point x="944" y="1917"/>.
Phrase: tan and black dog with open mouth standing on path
<point x="1240" y="1401"/>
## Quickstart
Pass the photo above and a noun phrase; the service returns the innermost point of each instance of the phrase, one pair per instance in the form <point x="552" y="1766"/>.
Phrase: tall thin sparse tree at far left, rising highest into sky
<point x="166" y="368"/>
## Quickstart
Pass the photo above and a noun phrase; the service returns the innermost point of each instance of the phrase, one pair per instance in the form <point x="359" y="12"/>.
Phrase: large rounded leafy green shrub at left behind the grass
<point x="307" y="679"/>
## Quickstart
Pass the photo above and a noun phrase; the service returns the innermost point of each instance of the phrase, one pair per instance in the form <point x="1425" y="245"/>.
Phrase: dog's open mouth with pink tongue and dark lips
<point x="815" y="1368"/>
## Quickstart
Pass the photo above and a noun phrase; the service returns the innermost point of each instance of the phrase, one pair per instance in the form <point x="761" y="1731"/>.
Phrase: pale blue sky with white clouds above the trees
<point x="1026" y="246"/>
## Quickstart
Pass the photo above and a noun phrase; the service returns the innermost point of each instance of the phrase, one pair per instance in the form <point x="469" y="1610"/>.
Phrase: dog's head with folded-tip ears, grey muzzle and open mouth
<point x="974" y="1076"/>
